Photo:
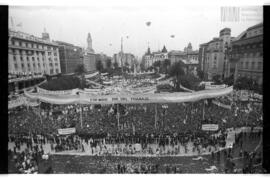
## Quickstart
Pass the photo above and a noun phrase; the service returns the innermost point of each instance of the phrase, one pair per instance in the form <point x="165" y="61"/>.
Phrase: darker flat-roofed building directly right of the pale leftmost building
<point x="70" y="57"/>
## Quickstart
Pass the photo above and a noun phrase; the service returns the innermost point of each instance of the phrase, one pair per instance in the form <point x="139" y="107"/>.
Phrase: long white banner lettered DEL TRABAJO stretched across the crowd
<point x="86" y="98"/>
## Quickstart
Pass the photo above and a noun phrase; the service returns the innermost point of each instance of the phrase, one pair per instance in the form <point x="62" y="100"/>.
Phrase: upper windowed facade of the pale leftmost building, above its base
<point x="29" y="54"/>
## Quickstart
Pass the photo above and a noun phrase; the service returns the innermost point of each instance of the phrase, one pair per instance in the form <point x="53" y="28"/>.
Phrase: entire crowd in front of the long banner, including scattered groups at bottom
<point x="128" y="130"/>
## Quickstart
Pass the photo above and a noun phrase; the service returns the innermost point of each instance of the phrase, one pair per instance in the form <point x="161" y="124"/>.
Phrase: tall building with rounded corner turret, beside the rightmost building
<point x="214" y="56"/>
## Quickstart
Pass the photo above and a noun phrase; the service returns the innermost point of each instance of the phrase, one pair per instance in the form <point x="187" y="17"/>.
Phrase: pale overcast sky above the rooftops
<point x="195" y="24"/>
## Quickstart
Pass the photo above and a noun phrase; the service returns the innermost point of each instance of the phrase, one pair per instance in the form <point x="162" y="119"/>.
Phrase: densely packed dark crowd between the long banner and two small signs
<point x="133" y="118"/>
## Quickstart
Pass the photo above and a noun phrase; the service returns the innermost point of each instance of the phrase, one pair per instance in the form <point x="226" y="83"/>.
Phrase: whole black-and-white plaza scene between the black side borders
<point x="143" y="89"/>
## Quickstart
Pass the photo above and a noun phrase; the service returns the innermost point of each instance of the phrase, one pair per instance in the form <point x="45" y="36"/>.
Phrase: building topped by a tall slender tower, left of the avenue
<point x="89" y="57"/>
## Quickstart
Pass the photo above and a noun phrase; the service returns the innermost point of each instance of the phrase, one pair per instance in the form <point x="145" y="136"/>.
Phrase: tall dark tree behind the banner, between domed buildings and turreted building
<point x="176" y="71"/>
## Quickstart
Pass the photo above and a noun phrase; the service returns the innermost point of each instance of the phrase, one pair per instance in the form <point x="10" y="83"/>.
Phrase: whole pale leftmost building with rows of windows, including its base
<point x="30" y="57"/>
